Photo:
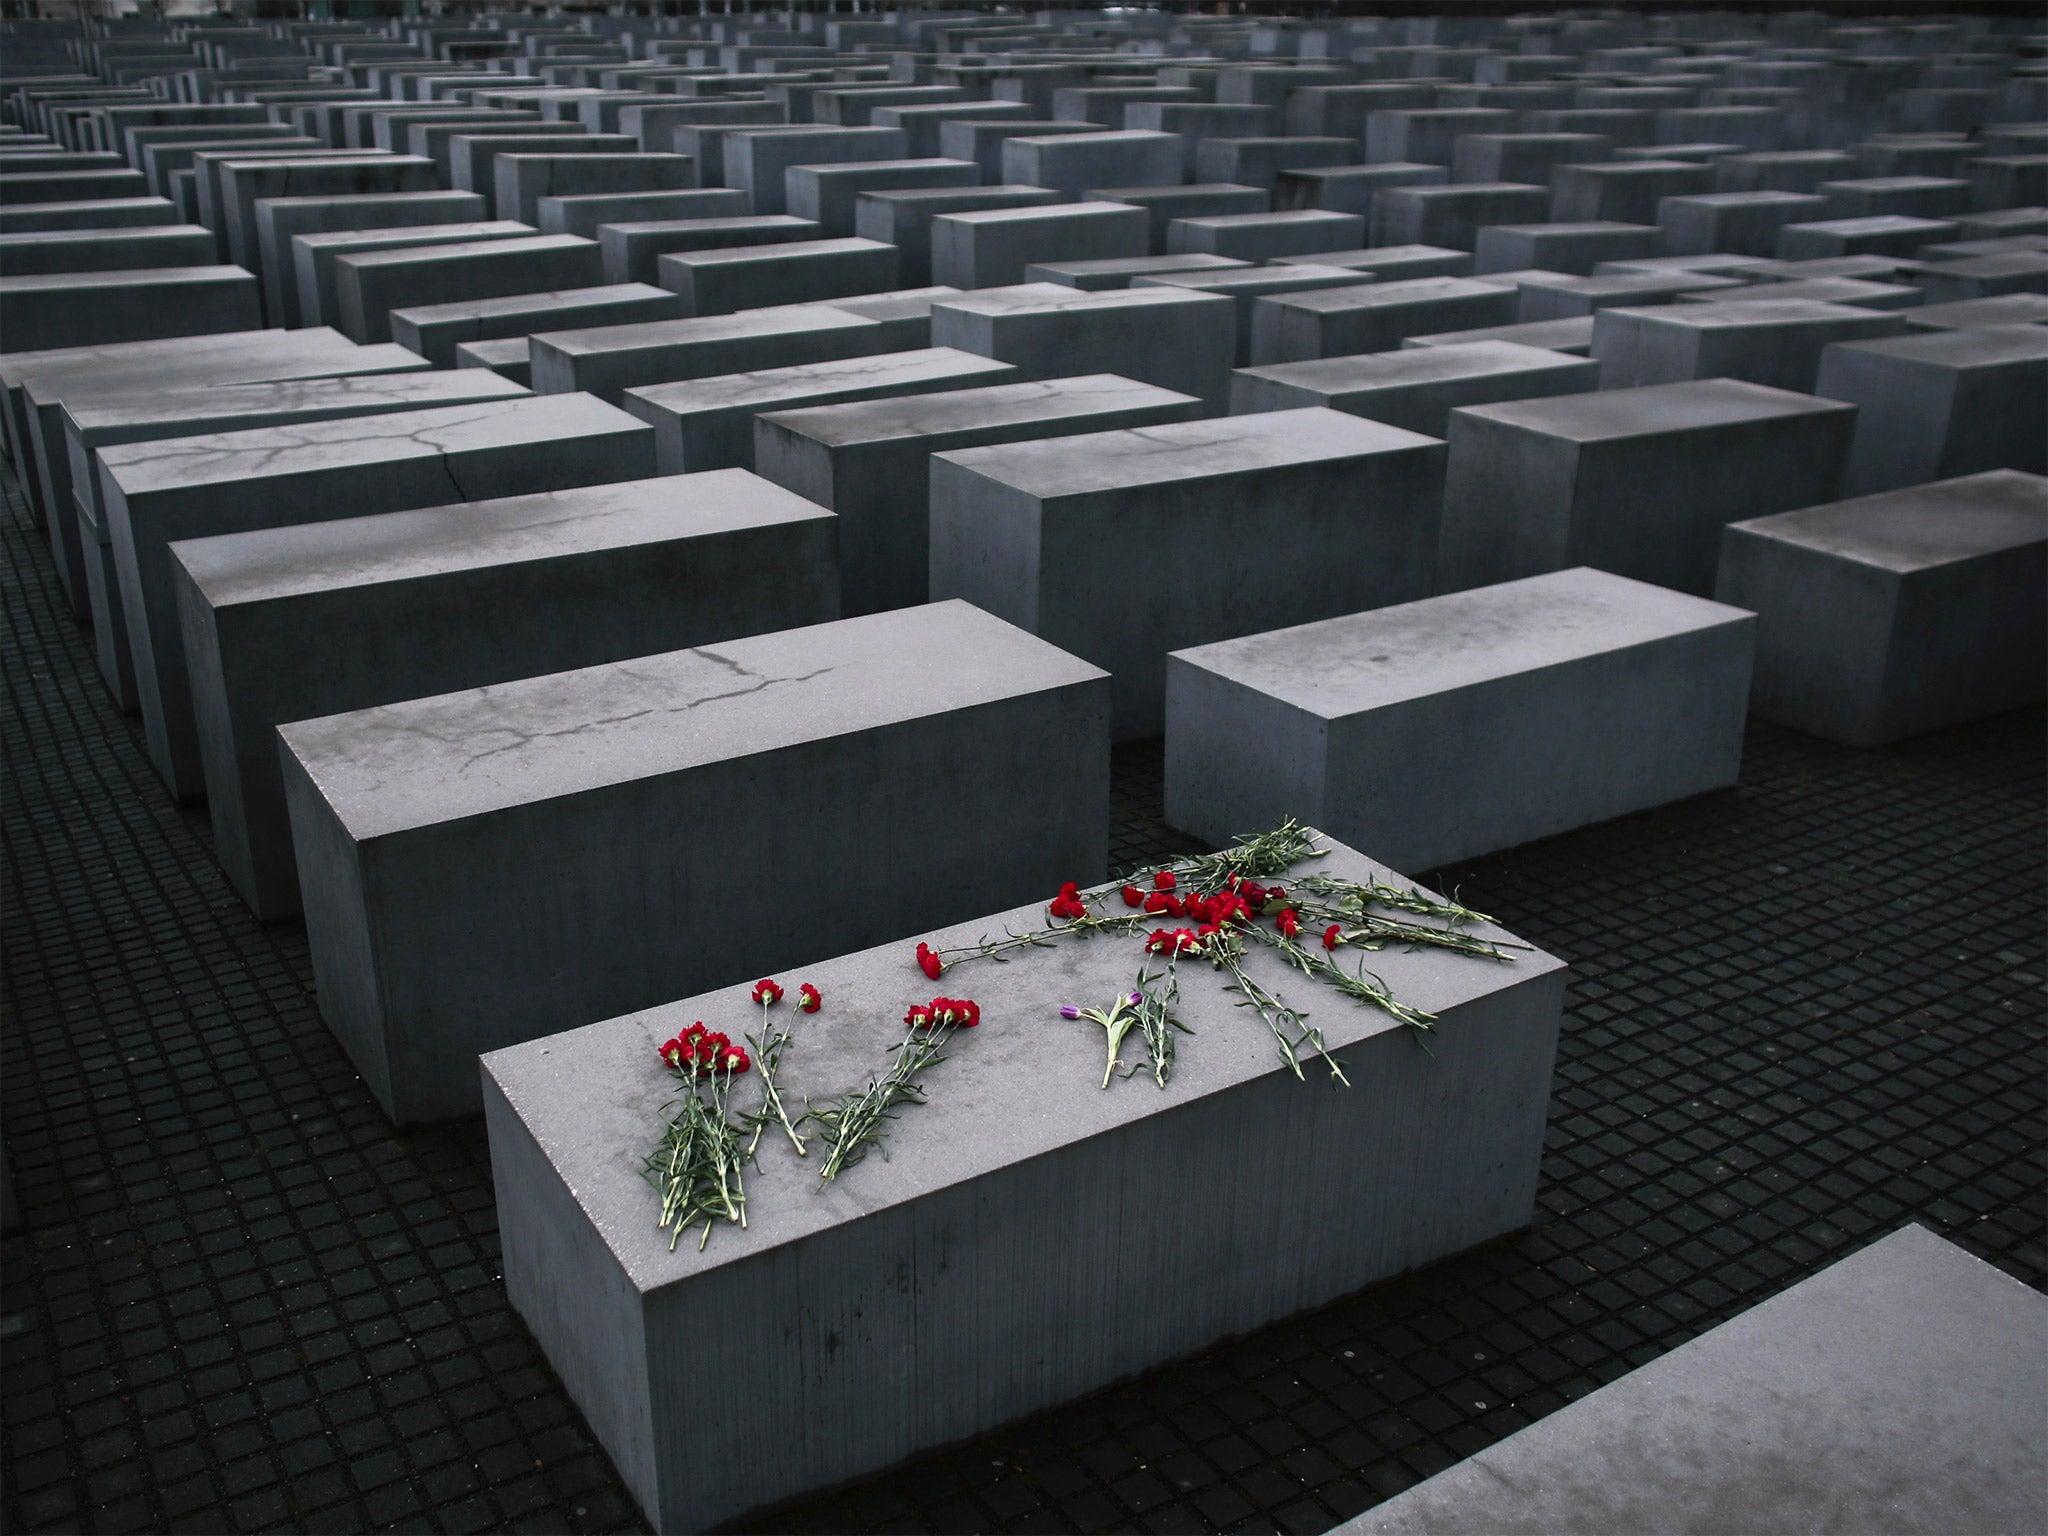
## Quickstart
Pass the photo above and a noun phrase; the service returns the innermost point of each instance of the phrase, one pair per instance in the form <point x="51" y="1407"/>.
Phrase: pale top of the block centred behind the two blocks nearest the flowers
<point x="1181" y="452"/>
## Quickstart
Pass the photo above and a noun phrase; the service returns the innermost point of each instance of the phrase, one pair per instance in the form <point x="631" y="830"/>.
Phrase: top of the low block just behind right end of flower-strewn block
<point x="1412" y="650"/>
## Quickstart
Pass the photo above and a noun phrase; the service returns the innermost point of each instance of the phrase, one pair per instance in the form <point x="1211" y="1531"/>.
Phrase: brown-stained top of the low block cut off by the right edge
<point x="1920" y="527"/>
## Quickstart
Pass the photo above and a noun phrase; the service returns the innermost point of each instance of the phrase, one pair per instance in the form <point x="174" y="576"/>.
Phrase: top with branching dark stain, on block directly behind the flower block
<point x="482" y="751"/>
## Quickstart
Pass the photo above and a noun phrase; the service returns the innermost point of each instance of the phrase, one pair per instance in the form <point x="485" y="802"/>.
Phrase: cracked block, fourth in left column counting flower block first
<point x="232" y="482"/>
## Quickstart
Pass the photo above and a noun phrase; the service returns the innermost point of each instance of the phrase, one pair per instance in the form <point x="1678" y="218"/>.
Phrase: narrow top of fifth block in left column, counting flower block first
<point x="196" y="411"/>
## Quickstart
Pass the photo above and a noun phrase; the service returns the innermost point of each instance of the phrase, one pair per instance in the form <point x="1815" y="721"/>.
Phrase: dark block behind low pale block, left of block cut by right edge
<point x="1637" y="482"/>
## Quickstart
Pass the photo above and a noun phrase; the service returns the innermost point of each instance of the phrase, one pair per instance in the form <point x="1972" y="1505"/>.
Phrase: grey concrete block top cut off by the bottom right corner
<point x="1897" y="1392"/>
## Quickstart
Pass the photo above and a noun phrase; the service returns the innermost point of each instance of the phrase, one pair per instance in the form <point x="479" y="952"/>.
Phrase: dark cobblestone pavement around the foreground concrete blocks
<point x="1801" y="1015"/>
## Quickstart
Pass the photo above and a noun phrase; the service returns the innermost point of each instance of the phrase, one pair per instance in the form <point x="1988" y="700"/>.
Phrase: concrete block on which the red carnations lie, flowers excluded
<point x="1422" y="1160"/>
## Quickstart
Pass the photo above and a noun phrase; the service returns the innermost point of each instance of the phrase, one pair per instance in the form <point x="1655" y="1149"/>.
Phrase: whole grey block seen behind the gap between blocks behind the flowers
<point x="1324" y="513"/>
